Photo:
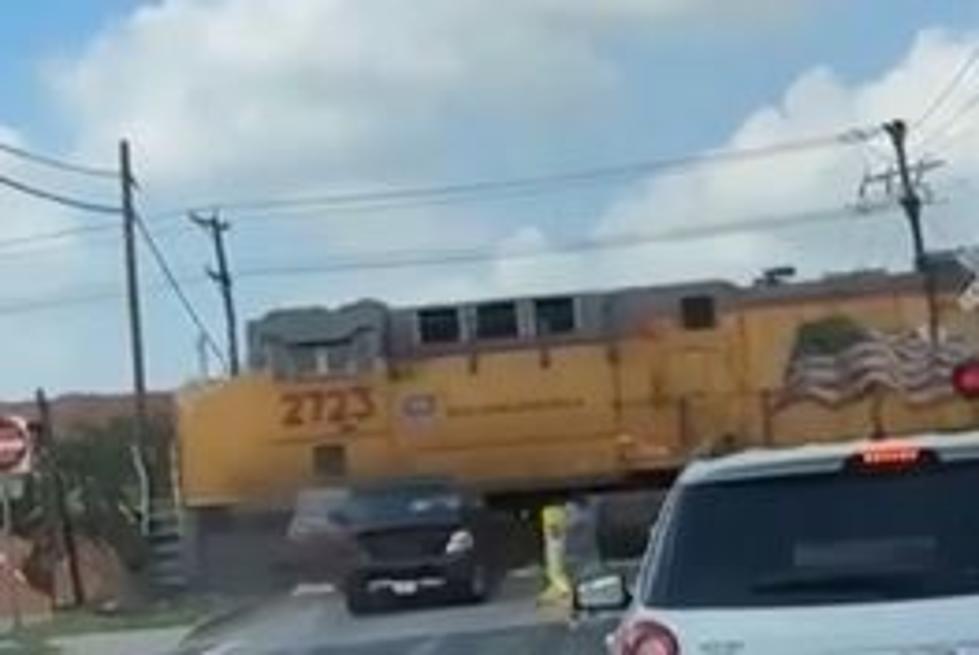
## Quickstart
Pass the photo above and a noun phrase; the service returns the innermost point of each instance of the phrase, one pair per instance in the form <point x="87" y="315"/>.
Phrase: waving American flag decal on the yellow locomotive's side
<point x="837" y="360"/>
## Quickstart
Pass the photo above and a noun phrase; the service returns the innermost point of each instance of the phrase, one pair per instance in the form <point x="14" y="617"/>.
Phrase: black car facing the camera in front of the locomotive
<point x="416" y="540"/>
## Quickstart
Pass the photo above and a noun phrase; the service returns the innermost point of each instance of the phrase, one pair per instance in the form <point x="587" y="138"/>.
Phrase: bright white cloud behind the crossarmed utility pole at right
<point x="817" y="103"/>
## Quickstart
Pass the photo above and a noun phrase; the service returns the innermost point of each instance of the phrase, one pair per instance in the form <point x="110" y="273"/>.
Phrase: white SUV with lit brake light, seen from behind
<point x="868" y="547"/>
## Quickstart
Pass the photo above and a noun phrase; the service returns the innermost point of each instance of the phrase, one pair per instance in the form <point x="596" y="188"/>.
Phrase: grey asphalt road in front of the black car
<point x="317" y="623"/>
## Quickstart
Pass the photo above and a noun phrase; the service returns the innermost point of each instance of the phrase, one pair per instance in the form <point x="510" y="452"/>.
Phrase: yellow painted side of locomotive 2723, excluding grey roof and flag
<point x="527" y="418"/>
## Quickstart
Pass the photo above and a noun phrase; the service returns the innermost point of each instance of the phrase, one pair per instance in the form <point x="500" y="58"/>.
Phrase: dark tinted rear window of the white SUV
<point x="826" y="538"/>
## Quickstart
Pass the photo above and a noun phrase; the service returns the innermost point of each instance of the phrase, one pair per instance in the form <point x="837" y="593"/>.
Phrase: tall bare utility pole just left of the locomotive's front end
<point x="138" y="446"/>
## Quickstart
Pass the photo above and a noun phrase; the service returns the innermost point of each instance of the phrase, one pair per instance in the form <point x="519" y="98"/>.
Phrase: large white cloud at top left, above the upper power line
<point x="289" y="93"/>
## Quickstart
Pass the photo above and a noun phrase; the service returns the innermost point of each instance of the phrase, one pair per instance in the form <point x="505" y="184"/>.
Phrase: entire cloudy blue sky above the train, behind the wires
<point x="238" y="99"/>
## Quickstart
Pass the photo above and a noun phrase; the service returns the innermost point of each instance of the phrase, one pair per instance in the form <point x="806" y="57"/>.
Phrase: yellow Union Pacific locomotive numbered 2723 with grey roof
<point x="561" y="393"/>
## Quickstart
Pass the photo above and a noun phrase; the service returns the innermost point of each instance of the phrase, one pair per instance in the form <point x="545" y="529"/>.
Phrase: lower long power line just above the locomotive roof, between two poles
<point x="400" y="259"/>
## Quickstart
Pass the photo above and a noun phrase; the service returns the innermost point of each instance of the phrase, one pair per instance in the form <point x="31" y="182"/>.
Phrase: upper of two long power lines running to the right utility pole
<point x="540" y="182"/>
